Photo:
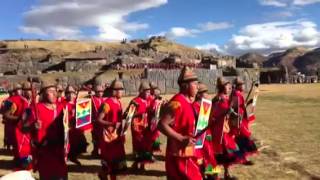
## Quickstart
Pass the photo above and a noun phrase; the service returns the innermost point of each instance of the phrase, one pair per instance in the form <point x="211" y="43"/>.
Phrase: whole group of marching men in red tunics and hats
<point x="35" y="130"/>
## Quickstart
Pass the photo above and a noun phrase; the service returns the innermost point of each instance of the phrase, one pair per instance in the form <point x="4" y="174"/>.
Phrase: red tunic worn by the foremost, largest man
<point x="179" y="163"/>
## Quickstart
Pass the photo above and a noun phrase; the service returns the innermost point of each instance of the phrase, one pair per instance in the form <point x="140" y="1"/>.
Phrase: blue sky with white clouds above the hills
<point x="229" y="26"/>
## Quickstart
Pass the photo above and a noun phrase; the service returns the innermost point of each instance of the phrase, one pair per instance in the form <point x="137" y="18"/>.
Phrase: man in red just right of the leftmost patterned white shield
<point x="96" y="132"/>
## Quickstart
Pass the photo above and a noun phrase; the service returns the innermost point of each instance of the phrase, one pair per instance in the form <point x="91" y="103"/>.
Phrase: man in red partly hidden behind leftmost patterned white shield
<point x="77" y="139"/>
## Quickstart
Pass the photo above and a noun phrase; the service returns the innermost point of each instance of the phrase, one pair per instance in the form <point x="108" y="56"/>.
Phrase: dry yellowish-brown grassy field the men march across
<point x="287" y="130"/>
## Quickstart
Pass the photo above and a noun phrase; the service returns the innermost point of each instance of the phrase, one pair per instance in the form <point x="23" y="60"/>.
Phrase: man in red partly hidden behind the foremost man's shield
<point x="206" y="155"/>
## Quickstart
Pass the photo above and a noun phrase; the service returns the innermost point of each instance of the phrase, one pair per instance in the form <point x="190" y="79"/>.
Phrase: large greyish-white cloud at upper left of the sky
<point x="63" y="19"/>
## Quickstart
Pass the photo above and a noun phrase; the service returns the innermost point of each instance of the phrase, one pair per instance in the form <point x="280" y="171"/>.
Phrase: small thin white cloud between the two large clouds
<point x="177" y="32"/>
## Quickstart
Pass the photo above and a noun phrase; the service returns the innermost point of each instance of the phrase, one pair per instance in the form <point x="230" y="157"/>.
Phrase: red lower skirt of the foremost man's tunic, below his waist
<point x="182" y="168"/>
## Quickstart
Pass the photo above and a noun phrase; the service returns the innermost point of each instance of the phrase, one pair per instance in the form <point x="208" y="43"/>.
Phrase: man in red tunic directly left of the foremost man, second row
<point x="140" y="143"/>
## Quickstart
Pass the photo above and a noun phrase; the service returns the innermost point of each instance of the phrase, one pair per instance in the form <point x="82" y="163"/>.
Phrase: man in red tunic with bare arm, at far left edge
<point x="16" y="107"/>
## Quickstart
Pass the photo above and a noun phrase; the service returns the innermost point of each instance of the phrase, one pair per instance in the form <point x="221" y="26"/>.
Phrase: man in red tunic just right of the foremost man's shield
<point x="224" y="145"/>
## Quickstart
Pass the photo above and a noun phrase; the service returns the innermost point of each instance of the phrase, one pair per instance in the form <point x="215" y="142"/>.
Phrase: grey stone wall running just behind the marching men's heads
<point x="165" y="79"/>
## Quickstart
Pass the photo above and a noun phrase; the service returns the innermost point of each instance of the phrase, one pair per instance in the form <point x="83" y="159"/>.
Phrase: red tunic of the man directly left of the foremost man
<point x="139" y="125"/>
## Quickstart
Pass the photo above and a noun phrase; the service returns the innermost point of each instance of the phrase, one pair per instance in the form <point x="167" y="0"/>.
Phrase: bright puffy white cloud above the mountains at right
<point x="274" y="36"/>
